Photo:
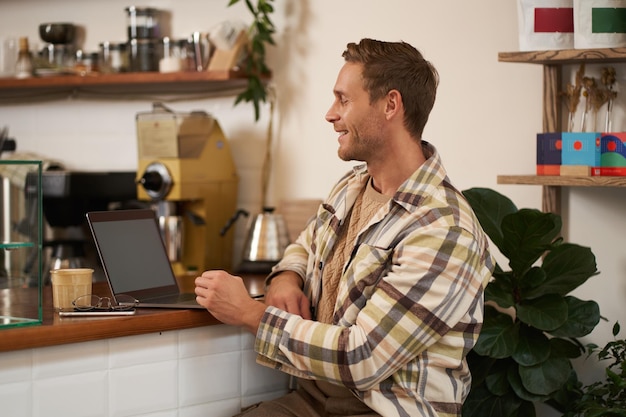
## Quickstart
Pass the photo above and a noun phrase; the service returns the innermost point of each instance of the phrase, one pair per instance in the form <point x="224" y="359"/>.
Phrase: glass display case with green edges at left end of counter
<point x="20" y="243"/>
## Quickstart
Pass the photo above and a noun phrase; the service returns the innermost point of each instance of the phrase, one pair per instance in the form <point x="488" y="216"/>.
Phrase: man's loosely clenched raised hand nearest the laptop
<point x="226" y="297"/>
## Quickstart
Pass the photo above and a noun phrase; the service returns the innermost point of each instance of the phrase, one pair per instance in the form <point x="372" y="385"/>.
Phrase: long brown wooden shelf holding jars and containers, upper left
<point x="123" y="83"/>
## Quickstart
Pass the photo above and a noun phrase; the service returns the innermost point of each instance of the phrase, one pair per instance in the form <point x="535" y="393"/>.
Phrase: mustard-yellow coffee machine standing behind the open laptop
<point x="187" y="173"/>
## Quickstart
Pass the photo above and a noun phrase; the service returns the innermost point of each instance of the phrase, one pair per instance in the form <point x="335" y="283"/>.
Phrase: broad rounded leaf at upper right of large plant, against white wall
<point x="567" y="267"/>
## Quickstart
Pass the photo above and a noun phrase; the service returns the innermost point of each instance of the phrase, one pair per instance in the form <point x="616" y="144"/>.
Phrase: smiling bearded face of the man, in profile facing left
<point x="359" y="123"/>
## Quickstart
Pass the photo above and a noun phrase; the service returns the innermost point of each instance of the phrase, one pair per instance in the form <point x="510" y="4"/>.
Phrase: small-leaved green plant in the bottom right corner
<point x="605" y="398"/>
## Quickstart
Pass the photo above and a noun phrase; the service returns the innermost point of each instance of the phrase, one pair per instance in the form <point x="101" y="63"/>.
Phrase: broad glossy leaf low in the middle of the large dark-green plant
<point x="546" y="377"/>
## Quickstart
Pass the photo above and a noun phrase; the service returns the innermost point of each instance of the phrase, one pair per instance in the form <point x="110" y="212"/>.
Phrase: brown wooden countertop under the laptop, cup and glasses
<point x="56" y="330"/>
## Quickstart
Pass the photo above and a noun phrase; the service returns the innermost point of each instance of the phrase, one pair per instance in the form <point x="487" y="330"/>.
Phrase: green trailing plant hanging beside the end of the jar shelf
<point x="260" y="33"/>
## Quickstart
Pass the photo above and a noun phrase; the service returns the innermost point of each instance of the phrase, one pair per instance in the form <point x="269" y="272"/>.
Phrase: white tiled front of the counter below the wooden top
<point x="207" y="371"/>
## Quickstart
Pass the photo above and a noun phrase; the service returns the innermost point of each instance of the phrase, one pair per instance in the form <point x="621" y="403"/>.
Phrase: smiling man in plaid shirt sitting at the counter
<point x="377" y="303"/>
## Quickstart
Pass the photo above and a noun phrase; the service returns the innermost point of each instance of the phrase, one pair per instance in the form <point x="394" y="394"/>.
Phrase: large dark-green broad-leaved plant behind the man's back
<point x="531" y="324"/>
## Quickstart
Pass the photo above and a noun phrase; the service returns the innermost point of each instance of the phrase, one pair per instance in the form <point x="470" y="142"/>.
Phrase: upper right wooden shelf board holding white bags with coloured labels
<point x="565" y="56"/>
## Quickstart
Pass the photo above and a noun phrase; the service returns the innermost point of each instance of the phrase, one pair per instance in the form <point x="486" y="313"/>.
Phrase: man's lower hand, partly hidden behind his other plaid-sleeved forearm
<point x="285" y="293"/>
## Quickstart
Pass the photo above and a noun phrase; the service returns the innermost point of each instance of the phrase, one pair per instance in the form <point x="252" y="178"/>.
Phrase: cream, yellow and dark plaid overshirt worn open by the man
<point x="409" y="304"/>
